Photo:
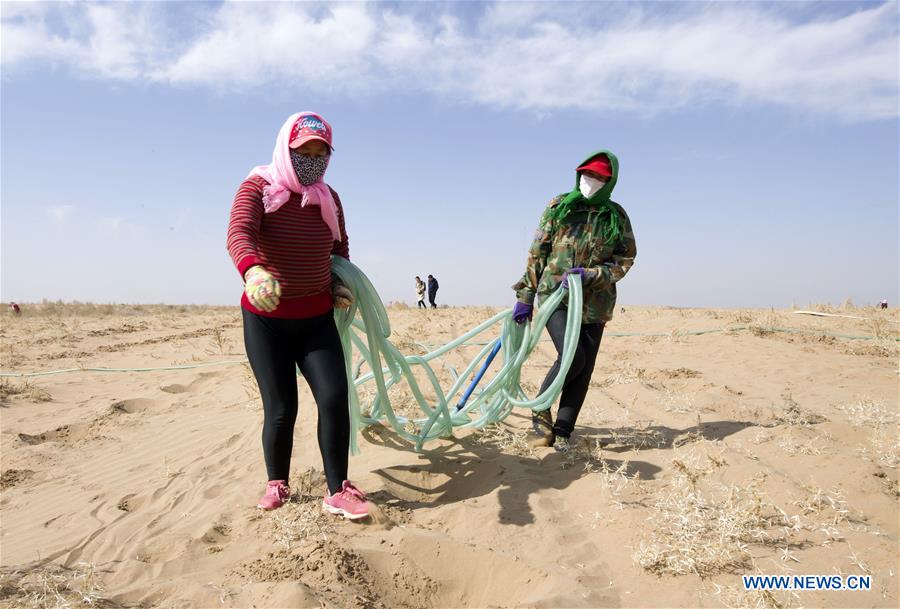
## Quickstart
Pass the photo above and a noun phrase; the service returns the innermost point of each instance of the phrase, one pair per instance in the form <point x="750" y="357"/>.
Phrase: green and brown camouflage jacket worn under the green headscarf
<point x="578" y="242"/>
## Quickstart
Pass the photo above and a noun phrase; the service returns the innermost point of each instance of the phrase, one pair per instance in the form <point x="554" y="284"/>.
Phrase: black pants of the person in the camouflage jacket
<point x="579" y="377"/>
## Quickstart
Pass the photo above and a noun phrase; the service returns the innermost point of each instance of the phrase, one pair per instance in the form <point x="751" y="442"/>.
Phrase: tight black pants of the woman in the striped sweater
<point x="274" y="347"/>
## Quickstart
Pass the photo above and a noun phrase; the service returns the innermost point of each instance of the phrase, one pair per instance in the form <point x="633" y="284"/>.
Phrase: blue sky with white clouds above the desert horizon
<point x="758" y="142"/>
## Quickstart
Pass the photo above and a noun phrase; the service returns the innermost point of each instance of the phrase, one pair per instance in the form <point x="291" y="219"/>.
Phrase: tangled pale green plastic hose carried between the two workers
<point x="365" y="328"/>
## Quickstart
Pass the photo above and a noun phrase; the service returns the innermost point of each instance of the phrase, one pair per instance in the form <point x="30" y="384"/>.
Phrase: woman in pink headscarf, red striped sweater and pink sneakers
<point x="286" y="223"/>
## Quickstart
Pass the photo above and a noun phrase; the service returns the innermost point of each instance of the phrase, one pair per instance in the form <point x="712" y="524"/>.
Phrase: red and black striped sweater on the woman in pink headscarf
<point x="293" y="243"/>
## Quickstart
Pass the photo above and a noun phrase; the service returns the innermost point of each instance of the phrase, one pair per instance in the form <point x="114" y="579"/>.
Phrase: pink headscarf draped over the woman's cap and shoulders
<point x="283" y="181"/>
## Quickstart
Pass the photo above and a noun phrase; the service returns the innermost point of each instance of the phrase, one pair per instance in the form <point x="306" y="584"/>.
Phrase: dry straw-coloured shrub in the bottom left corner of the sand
<point x="53" y="587"/>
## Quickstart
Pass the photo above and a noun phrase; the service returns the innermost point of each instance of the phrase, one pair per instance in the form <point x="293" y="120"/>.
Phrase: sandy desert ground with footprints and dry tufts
<point x="700" y="457"/>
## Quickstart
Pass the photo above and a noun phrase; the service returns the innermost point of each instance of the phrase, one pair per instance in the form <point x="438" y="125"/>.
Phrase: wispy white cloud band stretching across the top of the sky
<point x="540" y="57"/>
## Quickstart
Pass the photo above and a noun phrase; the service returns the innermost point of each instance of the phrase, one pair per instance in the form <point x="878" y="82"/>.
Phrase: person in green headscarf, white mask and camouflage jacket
<point x="581" y="232"/>
